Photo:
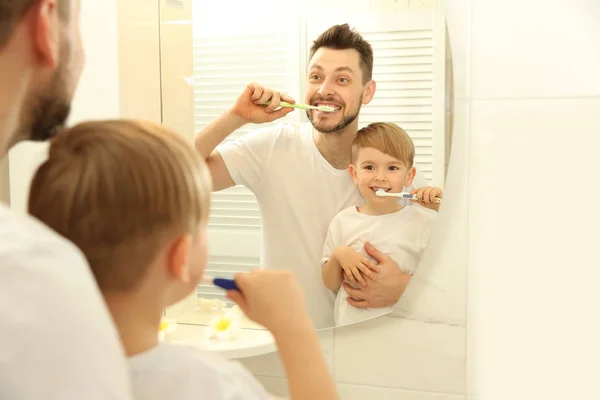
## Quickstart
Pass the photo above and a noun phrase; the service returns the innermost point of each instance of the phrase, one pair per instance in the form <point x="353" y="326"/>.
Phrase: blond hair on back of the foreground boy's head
<point x="119" y="190"/>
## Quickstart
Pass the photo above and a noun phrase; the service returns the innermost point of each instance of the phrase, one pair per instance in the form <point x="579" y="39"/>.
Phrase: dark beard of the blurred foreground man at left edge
<point x="50" y="109"/>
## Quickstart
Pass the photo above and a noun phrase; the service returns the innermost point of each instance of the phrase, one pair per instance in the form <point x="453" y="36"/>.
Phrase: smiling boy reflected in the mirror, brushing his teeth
<point x="382" y="159"/>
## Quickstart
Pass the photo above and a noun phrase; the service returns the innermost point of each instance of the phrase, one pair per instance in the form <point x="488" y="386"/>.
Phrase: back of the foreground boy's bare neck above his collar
<point x="137" y="321"/>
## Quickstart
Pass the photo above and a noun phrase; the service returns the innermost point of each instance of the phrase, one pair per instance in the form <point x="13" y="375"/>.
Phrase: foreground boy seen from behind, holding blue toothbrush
<point x="135" y="198"/>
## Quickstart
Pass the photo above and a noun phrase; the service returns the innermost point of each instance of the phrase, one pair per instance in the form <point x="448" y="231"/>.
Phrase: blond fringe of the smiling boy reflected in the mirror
<point x="387" y="138"/>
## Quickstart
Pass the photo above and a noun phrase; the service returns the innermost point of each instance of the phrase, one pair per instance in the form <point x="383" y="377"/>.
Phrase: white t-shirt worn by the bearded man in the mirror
<point x="298" y="193"/>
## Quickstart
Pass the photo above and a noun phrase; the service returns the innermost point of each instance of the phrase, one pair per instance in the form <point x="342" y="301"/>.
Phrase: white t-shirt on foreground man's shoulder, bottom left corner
<point x="57" y="337"/>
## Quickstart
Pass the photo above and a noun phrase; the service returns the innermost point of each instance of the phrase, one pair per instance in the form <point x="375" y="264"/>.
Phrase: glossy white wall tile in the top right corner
<point x="535" y="48"/>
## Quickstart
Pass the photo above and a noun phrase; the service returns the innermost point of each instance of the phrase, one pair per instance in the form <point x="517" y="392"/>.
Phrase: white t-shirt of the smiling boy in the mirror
<point x="402" y="235"/>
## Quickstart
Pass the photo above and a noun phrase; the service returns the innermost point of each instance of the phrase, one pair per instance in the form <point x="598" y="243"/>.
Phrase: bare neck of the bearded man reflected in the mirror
<point x="336" y="147"/>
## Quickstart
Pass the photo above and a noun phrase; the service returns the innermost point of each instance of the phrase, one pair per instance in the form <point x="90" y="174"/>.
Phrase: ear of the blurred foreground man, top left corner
<point x="45" y="29"/>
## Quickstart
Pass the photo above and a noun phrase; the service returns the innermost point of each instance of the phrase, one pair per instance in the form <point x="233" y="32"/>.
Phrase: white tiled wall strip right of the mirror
<point x="531" y="92"/>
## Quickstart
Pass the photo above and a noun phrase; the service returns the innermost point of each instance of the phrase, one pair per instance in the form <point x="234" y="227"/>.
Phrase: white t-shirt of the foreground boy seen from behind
<point x="178" y="372"/>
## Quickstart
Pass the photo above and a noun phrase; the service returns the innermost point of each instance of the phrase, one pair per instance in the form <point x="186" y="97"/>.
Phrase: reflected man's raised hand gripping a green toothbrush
<point x="250" y="105"/>
